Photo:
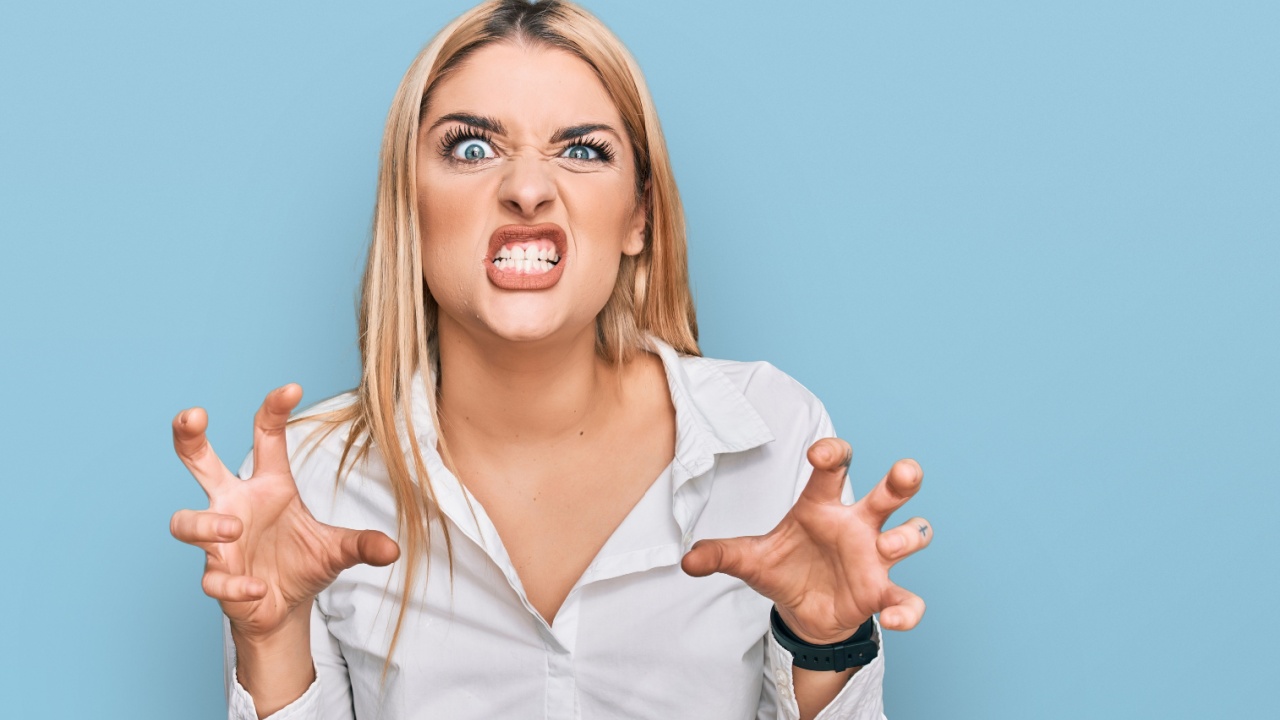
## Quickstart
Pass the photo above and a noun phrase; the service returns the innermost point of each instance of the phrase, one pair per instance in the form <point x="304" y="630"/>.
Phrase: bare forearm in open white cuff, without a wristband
<point x="277" y="669"/>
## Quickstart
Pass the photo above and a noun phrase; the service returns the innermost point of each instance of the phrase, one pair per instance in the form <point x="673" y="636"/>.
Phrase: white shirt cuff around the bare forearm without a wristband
<point x="328" y="698"/>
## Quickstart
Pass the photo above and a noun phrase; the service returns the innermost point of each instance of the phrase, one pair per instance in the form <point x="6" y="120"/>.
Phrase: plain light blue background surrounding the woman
<point x="1032" y="245"/>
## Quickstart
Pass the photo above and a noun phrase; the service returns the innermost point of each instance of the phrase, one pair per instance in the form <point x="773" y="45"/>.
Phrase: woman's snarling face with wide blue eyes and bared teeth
<point x="525" y="195"/>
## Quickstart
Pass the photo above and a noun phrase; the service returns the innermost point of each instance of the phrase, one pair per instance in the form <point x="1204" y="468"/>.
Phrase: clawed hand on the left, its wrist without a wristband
<point x="267" y="555"/>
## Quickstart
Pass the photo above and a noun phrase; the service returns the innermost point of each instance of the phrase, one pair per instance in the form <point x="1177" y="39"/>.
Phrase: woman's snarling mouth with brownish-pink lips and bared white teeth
<point x="527" y="257"/>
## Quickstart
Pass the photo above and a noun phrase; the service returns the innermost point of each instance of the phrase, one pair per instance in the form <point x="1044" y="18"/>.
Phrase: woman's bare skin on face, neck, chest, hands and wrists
<point x="524" y="395"/>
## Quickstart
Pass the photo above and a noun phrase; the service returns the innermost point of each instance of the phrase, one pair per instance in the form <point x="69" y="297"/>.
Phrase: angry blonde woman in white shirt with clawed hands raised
<point x="536" y="426"/>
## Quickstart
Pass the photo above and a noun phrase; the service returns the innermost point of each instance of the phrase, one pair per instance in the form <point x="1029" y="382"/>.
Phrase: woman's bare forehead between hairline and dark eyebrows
<point x="525" y="86"/>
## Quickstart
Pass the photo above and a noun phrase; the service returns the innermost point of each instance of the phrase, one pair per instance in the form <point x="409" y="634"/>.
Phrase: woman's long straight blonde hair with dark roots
<point x="397" y="316"/>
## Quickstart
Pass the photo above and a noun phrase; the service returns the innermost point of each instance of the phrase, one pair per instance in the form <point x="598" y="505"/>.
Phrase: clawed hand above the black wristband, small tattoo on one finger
<point x="826" y="566"/>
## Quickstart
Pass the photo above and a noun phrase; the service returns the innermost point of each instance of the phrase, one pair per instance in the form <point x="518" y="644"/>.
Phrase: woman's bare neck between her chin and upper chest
<point x="522" y="394"/>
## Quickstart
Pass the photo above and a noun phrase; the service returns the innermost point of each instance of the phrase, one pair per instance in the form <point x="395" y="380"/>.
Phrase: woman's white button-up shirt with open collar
<point x="637" y="637"/>
